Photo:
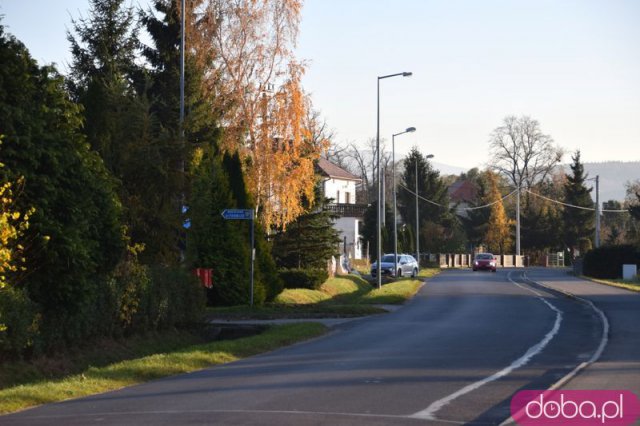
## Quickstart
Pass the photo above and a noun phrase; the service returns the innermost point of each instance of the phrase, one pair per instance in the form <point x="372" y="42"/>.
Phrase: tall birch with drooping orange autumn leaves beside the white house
<point x="257" y="86"/>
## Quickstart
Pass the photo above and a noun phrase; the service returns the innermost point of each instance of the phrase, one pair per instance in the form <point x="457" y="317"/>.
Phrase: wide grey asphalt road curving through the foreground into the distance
<point x="455" y="354"/>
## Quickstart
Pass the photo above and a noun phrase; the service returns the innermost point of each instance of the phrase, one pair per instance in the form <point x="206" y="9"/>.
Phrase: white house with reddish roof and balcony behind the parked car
<point x="340" y="186"/>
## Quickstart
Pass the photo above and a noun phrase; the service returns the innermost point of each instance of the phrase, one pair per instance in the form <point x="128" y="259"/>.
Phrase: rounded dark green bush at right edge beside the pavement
<point x="607" y="261"/>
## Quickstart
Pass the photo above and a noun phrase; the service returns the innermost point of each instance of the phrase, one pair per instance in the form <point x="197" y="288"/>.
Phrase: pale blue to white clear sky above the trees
<point x="573" y="65"/>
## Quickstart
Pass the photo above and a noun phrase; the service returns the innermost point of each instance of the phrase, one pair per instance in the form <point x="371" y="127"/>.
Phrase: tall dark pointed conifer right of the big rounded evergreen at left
<point x="120" y="125"/>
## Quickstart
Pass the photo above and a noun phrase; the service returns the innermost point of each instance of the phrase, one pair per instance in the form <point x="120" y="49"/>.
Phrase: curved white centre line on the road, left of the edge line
<point x="429" y="412"/>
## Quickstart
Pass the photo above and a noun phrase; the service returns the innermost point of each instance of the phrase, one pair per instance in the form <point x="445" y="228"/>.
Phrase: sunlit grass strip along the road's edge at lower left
<point x="126" y="373"/>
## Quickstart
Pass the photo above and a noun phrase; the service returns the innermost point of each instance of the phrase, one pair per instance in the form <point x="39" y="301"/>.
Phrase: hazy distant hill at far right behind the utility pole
<point x="613" y="177"/>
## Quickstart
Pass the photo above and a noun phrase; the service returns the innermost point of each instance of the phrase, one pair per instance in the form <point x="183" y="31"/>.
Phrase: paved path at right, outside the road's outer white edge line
<point x="619" y="365"/>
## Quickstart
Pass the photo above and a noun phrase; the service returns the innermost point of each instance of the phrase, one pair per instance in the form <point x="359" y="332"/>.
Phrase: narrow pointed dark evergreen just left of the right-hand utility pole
<point x="578" y="223"/>
